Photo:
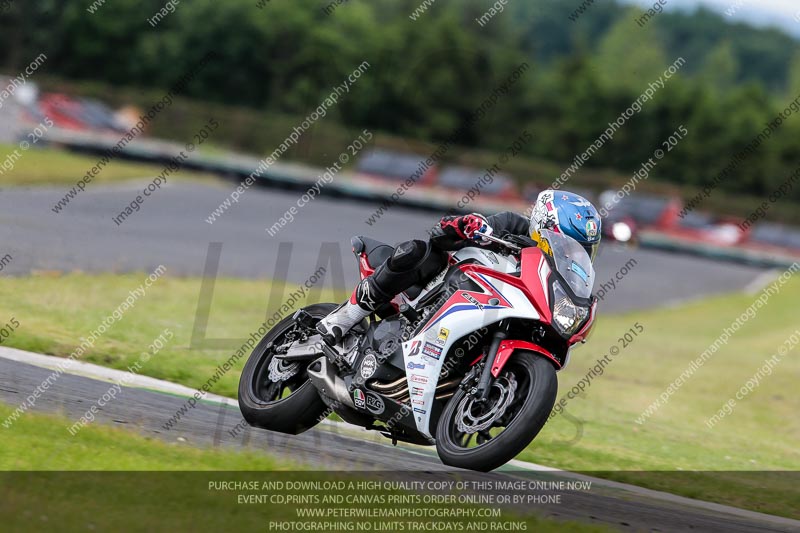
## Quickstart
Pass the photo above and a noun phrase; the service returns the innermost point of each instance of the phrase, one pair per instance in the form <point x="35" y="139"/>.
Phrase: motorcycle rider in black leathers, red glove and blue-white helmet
<point x="417" y="261"/>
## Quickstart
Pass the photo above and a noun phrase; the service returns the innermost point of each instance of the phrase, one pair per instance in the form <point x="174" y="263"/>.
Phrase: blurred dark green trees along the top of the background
<point x="426" y="76"/>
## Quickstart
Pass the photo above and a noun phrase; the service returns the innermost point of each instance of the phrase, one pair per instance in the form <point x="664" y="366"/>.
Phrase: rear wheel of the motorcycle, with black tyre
<point x="277" y="395"/>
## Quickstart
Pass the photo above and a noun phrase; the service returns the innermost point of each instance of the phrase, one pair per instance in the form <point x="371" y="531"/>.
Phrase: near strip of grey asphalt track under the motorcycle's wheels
<point x="332" y="449"/>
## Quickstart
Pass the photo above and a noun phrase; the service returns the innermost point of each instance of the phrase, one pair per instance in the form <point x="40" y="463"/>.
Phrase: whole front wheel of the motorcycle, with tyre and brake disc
<point x="483" y="436"/>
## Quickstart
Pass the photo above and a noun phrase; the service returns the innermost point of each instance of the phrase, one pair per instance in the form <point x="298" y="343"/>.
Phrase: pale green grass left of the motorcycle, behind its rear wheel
<point x="56" y="311"/>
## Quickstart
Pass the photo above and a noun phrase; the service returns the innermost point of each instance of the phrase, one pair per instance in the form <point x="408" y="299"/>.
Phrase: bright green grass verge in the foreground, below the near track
<point x="110" y="479"/>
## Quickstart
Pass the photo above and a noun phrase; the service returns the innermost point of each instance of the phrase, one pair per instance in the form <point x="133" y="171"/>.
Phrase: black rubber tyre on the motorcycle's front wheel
<point x="537" y="391"/>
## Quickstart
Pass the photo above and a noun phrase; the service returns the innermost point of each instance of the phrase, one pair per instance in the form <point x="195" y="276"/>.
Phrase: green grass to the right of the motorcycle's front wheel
<point x="760" y="435"/>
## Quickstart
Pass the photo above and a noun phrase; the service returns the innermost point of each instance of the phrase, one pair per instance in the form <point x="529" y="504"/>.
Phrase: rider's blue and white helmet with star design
<point x="570" y="214"/>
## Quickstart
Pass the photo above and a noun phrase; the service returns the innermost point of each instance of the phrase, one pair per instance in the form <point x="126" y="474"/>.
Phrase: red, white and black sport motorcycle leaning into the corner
<point x="467" y="362"/>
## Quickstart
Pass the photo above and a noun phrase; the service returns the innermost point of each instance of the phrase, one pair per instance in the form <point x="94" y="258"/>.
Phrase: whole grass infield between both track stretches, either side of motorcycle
<point x="761" y="434"/>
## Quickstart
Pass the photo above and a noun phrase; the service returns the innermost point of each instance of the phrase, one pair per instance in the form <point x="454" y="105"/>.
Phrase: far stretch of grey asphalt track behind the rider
<point x="170" y="229"/>
